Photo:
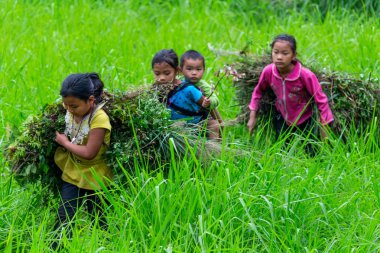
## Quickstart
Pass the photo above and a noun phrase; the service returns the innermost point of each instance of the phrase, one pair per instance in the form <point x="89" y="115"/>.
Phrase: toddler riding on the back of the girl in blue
<point x="192" y="67"/>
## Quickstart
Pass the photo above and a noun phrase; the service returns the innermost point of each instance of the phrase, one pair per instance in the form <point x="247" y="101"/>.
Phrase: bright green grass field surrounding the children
<point x="268" y="200"/>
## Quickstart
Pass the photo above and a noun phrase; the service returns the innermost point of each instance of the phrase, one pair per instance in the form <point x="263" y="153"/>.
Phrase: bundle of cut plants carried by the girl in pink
<point x="354" y="101"/>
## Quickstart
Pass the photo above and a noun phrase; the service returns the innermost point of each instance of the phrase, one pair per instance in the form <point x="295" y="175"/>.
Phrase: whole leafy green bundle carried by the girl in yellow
<point x="141" y="132"/>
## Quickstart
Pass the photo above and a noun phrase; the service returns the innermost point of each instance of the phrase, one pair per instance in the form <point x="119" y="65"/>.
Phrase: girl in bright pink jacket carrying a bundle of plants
<point x="294" y="87"/>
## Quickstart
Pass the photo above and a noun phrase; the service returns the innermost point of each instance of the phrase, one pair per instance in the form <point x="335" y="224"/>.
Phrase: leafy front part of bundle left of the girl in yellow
<point x="31" y="154"/>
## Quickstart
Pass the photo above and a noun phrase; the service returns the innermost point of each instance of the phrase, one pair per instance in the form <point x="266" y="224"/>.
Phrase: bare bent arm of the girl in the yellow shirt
<point x="88" y="151"/>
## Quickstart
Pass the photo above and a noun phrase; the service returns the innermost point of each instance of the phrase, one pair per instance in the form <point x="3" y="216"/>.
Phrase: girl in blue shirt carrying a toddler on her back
<point x="184" y="100"/>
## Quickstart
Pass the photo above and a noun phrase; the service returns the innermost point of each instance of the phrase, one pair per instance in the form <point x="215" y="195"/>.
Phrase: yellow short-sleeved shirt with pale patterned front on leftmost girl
<point x="82" y="172"/>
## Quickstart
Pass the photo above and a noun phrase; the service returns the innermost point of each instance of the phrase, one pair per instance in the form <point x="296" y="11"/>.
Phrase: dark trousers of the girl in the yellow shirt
<point x="72" y="199"/>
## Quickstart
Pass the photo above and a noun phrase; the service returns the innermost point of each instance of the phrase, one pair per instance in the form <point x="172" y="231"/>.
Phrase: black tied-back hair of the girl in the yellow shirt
<point x="82" y="86"/>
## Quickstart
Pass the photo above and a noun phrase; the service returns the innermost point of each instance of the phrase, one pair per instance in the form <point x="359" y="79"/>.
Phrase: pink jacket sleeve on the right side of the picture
<point x="315" y="90"/>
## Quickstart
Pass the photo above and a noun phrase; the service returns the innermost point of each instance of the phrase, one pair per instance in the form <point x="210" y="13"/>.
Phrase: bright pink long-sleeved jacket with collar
<point x="293" y="94"/>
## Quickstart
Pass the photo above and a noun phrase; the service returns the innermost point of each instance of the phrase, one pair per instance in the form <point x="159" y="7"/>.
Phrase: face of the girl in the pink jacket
<point x="282" y="56"/>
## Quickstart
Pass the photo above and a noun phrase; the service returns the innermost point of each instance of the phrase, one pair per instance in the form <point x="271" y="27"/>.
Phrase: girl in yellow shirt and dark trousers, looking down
<point x="83" y="146"/>
